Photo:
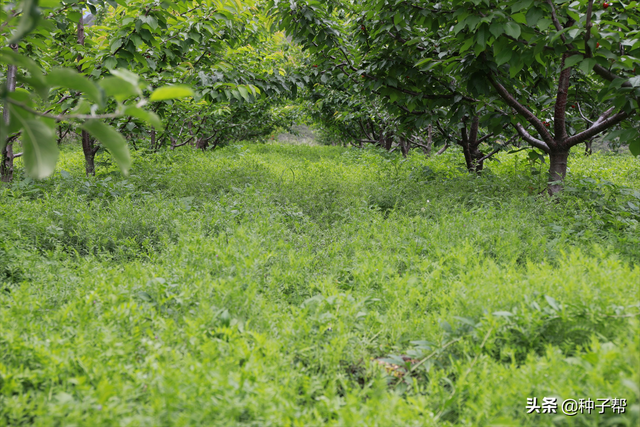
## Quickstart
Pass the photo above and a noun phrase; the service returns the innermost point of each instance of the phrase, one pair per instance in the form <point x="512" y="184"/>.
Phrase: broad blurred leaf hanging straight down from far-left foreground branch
<point x="39" y="148"/>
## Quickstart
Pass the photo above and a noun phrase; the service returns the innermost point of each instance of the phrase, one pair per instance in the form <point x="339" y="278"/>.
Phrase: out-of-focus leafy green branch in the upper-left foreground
<point x="34" y="119"/>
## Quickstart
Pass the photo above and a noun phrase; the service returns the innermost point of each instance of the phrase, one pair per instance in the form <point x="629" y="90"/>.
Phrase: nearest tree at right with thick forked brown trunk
<point x="546" y="48"/>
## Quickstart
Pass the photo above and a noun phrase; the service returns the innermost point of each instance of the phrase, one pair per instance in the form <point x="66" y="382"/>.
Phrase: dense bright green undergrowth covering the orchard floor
<point x="255" y="286"/>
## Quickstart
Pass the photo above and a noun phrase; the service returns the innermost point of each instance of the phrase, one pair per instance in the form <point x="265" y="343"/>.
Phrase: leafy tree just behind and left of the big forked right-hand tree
<point x="372" y="54"/>
